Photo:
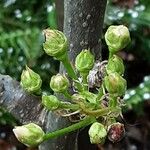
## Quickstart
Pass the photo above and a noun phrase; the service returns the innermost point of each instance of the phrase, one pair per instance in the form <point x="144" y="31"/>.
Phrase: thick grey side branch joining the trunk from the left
<point x="21" y="105"/>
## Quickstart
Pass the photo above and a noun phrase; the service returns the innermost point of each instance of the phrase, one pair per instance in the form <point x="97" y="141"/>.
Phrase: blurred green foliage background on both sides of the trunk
<point x="21" y="38"/>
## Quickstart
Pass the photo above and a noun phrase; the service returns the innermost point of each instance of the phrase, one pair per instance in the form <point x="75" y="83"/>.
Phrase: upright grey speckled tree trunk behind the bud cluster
<point x="83" y="23"/>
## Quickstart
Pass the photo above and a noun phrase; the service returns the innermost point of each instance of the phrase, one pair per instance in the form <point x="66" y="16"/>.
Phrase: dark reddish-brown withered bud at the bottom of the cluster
<point x="116" y="132"/>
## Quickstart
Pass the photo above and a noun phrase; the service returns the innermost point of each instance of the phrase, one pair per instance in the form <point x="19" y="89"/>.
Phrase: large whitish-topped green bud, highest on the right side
<point x="117" y="38"/>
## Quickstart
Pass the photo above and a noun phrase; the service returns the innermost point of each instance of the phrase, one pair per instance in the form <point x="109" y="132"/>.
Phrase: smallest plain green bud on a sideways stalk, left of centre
<point x="50" y="102"/>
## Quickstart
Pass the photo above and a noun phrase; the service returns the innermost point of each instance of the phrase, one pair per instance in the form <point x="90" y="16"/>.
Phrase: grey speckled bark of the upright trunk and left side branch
<point x="83" y="22"/>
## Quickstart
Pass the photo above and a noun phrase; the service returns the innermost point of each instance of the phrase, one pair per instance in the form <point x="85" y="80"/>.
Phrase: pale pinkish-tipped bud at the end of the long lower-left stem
<point x="30" y="135"/>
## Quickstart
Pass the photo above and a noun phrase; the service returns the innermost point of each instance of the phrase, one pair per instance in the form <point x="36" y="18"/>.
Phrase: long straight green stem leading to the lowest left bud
<point x="81" y="124"/>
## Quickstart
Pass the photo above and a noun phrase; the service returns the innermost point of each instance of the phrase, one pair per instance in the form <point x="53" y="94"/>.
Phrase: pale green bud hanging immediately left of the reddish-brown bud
<point x="97" y="133"/>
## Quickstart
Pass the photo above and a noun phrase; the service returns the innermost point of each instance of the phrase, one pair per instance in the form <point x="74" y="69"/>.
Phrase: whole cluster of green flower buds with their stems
<point x="83" y="101"/>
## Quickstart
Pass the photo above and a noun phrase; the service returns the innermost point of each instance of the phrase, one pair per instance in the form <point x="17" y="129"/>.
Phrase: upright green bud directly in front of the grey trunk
<point x="84" y="61"/>
